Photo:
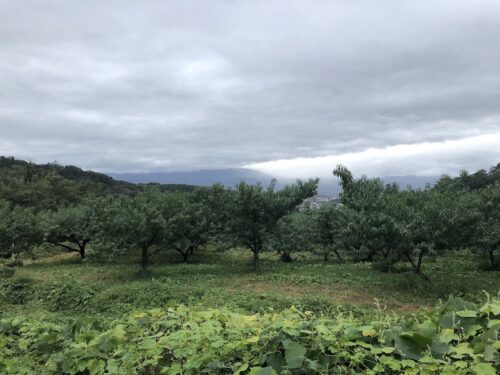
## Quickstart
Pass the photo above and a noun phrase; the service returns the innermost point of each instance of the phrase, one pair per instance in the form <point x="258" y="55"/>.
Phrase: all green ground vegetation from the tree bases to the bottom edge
<point x="216" y="316"/>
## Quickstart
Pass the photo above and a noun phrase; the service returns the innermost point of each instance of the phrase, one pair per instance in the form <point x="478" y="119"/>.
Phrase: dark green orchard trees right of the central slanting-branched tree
<point x="385" y="225"/>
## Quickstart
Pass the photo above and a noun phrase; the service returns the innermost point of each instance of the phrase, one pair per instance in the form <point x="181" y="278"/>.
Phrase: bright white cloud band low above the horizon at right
<point x="424" y="159"/>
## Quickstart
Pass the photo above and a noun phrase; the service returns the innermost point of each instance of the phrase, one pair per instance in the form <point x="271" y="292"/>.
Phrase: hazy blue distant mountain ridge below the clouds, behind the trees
<point x="232" y="176"/>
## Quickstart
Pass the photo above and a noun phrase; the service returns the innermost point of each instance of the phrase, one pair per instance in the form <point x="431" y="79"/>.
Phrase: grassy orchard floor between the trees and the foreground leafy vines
<point x="61" y="284"/>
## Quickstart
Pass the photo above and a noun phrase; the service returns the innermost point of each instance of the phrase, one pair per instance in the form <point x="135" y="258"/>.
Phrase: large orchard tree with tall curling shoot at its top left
<point x="390" y="225"/>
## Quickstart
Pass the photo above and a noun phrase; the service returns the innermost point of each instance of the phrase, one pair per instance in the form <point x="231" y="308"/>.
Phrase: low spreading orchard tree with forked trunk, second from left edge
<point x="71" y="228"/>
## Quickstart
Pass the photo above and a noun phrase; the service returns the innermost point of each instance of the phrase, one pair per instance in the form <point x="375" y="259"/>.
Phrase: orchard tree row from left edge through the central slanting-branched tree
<point x="154" y="221"/>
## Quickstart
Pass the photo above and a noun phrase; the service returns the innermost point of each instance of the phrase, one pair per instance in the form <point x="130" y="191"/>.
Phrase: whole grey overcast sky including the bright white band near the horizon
<point x="288" y="87"/>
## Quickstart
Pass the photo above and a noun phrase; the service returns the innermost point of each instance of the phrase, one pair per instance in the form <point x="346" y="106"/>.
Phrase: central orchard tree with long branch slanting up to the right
<point x="255" y="211"/>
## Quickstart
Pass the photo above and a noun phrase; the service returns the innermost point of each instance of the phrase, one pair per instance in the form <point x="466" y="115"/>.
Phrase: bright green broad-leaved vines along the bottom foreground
<point x="457" y="338"/>
